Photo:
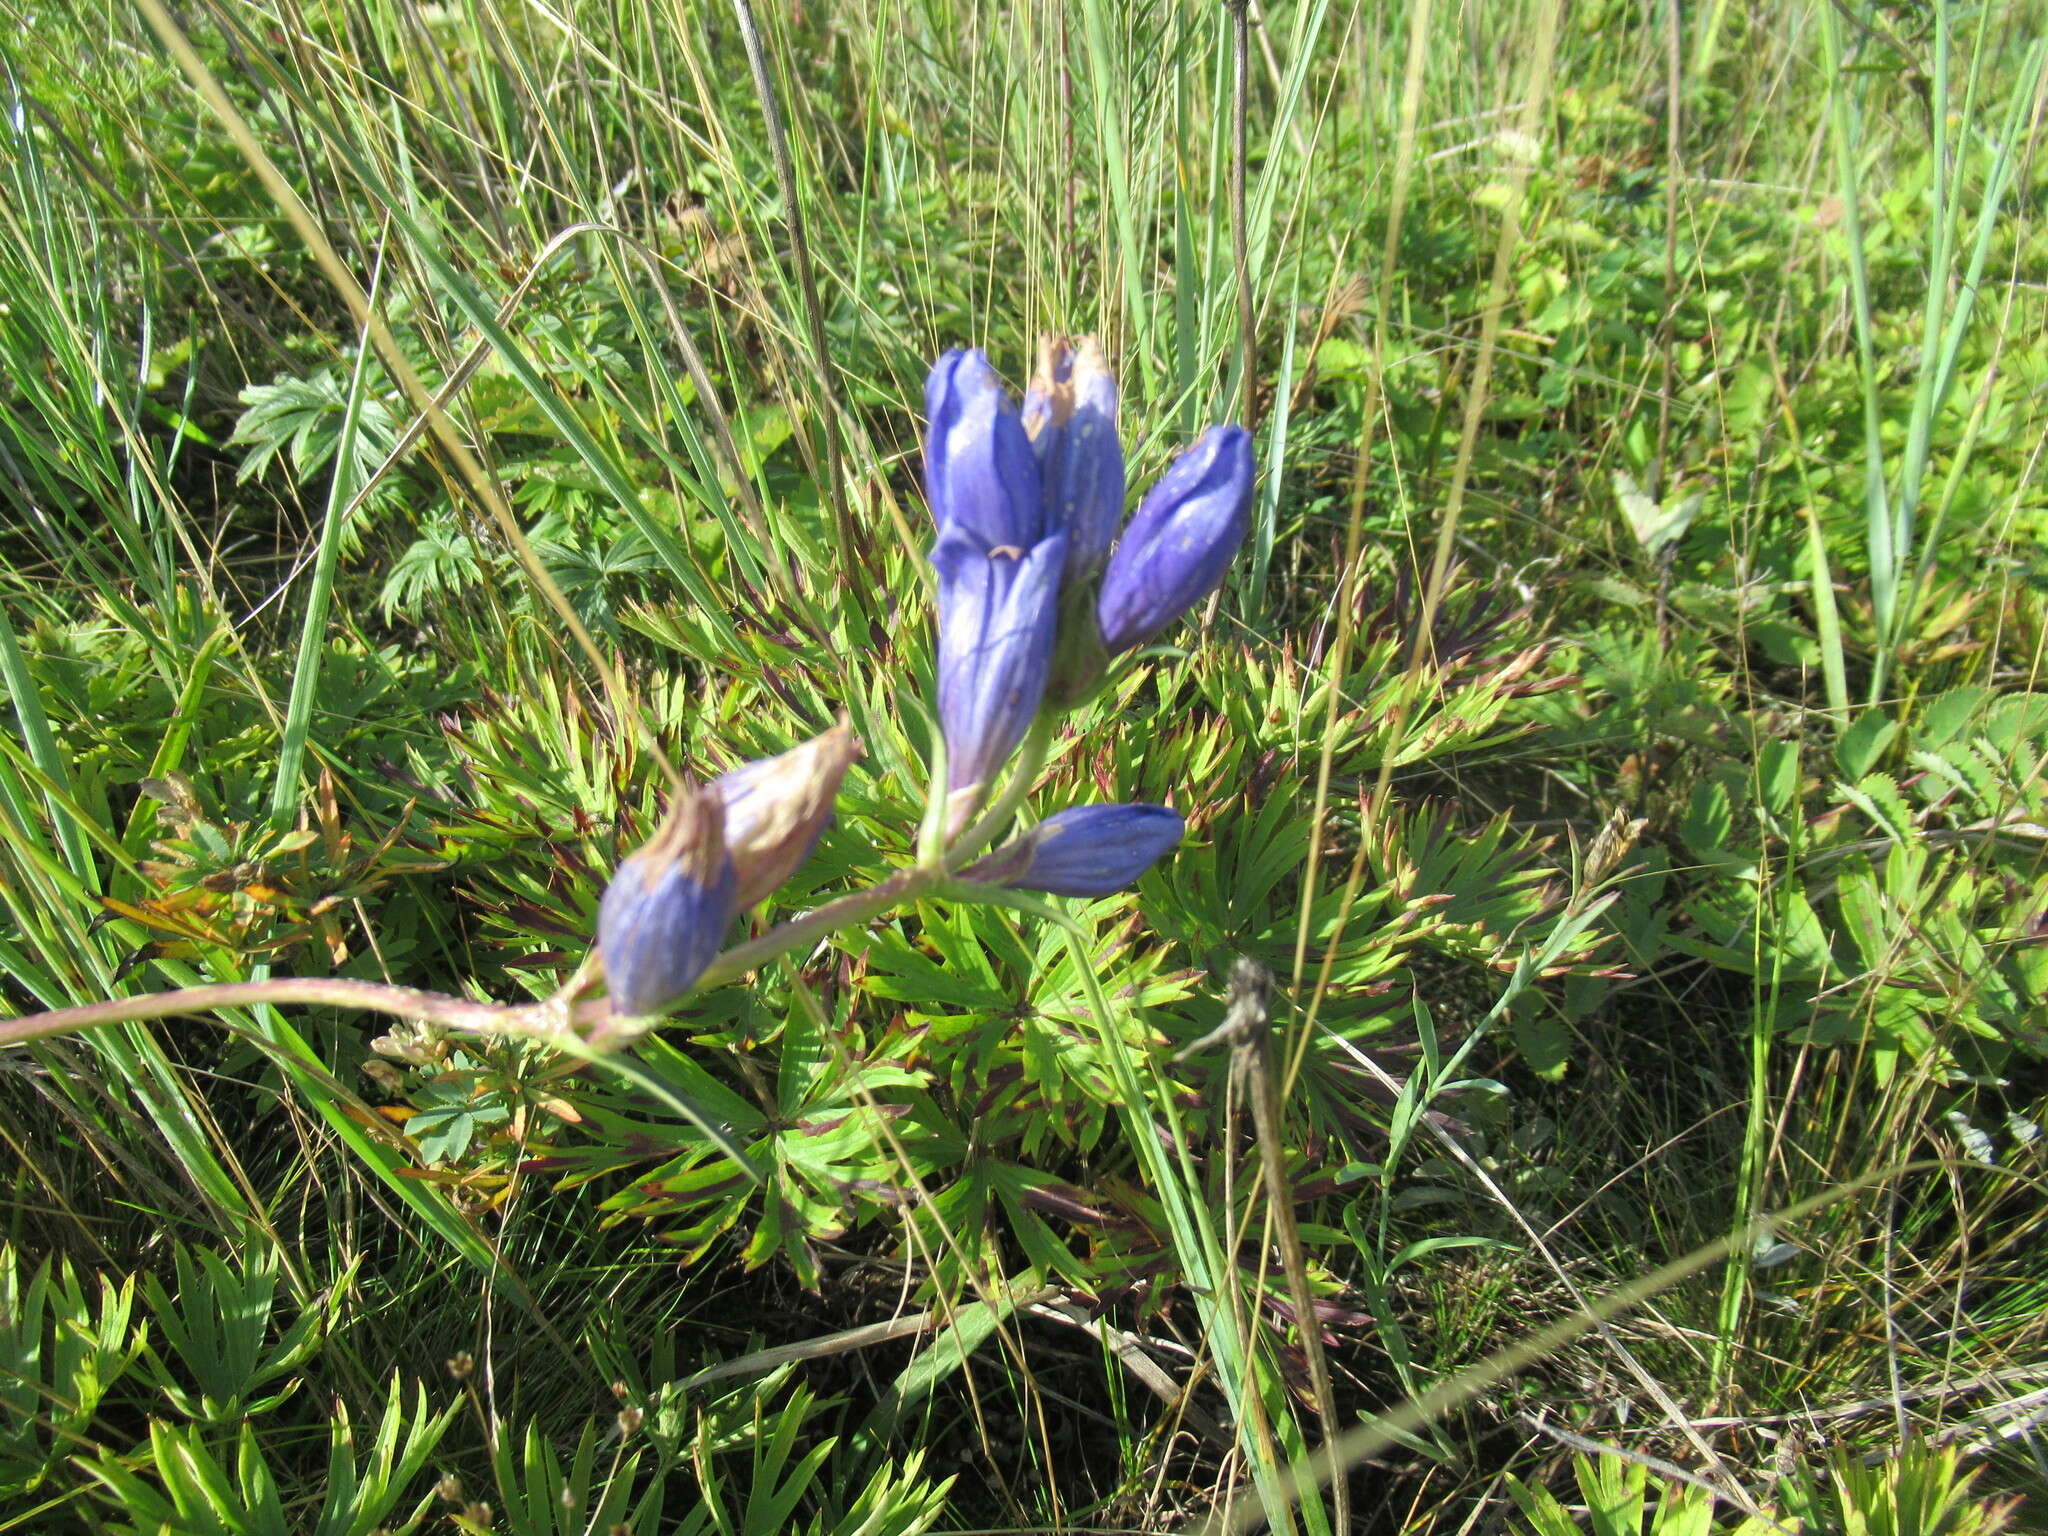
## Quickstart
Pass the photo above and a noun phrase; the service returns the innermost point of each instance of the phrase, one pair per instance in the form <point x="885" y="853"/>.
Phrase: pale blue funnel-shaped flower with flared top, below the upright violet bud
<point x="998" y="609"/>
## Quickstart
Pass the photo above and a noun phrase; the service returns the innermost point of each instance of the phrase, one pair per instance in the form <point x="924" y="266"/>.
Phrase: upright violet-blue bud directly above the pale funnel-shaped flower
<point x="978" y="466"/>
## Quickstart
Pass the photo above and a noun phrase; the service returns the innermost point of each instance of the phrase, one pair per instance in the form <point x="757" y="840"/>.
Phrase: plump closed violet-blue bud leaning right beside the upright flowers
<point x="1181" y="542"/>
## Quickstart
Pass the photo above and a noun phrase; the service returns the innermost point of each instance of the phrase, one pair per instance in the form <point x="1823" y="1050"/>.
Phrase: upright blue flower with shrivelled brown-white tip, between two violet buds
<point x="1070" y="415"/>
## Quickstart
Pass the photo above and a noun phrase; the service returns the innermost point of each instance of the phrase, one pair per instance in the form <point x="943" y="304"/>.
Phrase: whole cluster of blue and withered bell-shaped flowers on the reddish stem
<point x="1035" y="595"/>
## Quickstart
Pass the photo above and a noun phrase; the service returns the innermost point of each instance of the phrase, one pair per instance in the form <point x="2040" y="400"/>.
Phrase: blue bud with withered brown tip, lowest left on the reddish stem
<point x="667" y="908"/>
